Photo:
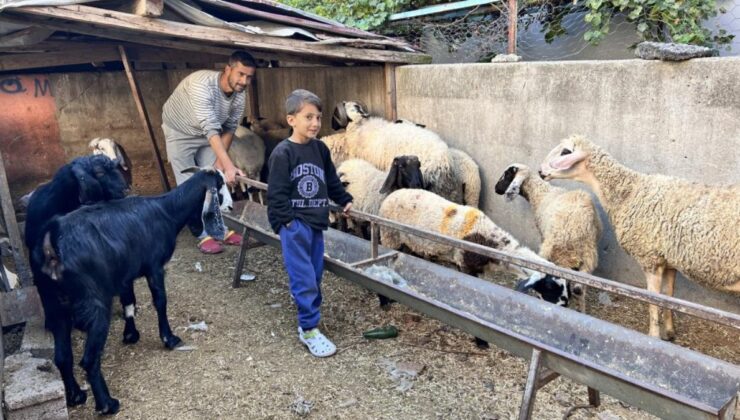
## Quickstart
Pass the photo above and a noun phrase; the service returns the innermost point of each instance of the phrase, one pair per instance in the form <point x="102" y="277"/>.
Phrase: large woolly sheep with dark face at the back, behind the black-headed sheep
<point x="378" y="141"/>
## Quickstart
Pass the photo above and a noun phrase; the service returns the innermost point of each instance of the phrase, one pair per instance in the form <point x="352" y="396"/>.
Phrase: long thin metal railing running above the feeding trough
<point x="690" y="308"/>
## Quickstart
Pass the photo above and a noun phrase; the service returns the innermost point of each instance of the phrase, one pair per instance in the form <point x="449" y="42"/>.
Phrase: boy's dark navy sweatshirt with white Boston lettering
<point x="301" y="182"/>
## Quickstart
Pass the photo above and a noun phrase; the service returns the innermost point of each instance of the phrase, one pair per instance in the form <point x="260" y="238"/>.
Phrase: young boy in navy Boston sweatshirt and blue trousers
<point x="301" y="182"/>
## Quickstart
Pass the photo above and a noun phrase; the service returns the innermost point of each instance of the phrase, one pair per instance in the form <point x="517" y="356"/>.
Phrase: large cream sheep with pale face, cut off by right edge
<point x="665" y="223"/>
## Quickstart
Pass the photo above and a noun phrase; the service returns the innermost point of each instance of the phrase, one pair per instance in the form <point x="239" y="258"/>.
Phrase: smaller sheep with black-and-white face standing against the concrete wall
<point x="567" y="220"/>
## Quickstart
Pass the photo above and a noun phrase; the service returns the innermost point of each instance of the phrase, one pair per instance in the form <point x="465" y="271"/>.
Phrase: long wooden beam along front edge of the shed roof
<point x="146" y="27"/>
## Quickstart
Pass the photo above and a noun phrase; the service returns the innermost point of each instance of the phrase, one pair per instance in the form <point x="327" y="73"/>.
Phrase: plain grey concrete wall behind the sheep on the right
<point x="679" y="119"/>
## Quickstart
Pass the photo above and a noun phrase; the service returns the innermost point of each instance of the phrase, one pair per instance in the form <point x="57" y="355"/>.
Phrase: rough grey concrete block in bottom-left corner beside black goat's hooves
<point x="33" y="389"/>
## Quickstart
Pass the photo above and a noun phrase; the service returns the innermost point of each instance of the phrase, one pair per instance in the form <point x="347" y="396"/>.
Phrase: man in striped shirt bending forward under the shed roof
<point x="199" y="120"/>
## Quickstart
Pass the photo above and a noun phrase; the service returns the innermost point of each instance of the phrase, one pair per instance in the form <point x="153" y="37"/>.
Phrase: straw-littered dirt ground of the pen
<point x="250" y="364"/>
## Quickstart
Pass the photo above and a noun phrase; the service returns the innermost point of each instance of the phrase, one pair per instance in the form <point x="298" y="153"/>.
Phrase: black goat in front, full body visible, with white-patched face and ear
<point x="98" y="251"/>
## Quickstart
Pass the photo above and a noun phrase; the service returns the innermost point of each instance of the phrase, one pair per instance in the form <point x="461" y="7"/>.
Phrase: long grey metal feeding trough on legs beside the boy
<point x="659" y="377"/>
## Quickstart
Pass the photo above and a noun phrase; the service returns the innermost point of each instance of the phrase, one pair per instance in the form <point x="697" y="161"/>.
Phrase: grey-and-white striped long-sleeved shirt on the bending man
<point x="198" y="106"/>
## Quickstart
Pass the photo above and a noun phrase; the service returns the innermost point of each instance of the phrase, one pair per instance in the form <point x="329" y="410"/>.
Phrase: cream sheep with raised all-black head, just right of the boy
<point x="369" y="186"/>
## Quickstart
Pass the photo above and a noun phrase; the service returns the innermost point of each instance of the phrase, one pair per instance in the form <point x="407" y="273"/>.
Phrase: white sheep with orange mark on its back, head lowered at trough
<point x="430" y="212"/>
